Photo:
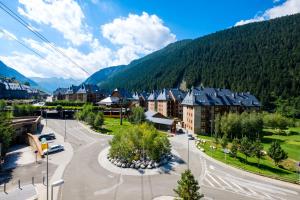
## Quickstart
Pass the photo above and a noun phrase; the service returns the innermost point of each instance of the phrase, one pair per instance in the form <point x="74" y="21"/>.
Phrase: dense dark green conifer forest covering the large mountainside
<point x="263" y="58"/>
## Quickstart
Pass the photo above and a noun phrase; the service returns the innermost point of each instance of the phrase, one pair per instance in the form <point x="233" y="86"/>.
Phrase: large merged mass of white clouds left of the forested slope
<point x="130" y="37"/>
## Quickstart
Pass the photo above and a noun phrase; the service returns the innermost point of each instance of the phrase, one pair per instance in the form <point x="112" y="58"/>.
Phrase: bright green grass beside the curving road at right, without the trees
<point x="288" y="169"/>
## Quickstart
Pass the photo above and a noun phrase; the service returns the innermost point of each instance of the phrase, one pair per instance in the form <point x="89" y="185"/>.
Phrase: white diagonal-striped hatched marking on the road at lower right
<point x="245" y="187"/>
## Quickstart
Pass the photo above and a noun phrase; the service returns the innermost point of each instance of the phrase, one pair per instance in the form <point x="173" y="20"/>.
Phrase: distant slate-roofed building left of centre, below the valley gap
<point x="84" y="92"/>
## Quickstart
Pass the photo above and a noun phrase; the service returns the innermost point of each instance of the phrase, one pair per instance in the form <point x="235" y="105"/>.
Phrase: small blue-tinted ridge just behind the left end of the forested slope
<point x="103" y="75"/>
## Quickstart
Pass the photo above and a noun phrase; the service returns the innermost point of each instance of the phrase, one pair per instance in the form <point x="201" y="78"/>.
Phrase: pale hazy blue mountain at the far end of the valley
<point x="51" y="84"/>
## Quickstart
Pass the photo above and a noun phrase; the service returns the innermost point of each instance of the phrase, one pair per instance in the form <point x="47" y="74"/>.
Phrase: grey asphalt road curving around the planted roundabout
<point x="86" y="179"/>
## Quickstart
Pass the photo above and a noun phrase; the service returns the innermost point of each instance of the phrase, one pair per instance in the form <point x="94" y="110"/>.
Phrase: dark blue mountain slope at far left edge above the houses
<point x="9" y="72"/>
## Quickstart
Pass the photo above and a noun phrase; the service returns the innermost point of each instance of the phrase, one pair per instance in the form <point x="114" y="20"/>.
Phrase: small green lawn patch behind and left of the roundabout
<point x="112" y="125"/>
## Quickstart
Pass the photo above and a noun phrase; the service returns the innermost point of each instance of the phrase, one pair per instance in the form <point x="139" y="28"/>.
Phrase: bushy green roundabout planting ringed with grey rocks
<point x="140" y="146"/>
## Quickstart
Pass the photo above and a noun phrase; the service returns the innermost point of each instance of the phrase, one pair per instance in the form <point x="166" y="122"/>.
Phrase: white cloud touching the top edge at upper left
<point x="65" y="16"/>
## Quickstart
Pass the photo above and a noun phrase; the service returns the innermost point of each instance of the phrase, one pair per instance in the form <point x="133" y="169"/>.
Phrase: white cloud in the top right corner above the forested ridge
<point x="289" y="7"/>
